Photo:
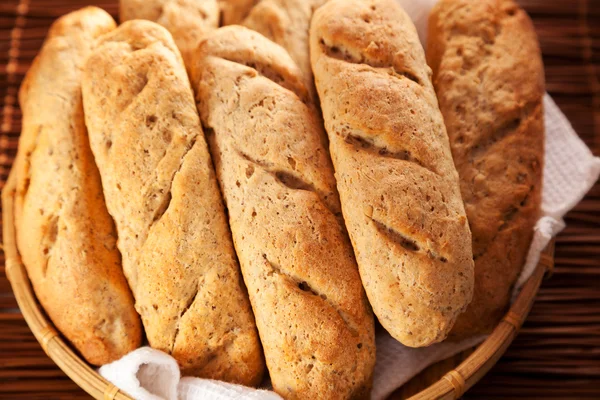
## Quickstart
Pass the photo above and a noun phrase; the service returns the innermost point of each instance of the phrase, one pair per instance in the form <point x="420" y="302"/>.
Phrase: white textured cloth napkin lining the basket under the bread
<point x="570" y="171"/>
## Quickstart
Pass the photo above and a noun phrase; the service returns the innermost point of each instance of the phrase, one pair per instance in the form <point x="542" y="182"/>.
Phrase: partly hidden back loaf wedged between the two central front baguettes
<point x="287" y="22"/>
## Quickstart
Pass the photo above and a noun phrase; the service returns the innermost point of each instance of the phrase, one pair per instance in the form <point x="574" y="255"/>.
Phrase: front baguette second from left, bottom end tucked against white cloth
<point x="161" y="190"/>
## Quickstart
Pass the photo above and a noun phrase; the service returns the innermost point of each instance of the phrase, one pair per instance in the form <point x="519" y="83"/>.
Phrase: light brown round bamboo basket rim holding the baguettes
<point x="451" y="386"/>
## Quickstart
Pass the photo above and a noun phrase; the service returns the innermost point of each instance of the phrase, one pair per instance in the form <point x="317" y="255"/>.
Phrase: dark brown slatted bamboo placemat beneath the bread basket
<point x="557" y="354"/>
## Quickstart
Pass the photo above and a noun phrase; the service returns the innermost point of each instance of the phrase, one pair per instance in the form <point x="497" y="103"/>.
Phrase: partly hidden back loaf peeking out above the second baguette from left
<point x="187" y="20"/>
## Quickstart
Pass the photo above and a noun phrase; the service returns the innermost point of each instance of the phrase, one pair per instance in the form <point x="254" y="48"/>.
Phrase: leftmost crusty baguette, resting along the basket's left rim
<point x="65" y="236"/>
